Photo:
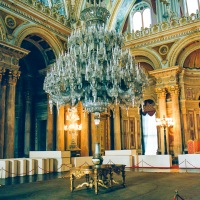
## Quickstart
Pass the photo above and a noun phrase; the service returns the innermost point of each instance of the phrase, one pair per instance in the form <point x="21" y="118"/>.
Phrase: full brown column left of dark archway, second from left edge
<point x="10" y="116"/>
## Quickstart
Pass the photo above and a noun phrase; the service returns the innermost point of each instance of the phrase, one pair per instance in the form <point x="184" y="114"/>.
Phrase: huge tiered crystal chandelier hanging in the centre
<point x="95" y="70"/>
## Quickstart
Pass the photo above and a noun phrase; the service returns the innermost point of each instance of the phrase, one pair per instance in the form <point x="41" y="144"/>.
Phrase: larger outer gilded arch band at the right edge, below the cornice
<point x="180" y="45"/>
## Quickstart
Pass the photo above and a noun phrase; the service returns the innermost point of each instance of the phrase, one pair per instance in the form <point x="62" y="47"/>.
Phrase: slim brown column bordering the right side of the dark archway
<point x="50" y="129"/>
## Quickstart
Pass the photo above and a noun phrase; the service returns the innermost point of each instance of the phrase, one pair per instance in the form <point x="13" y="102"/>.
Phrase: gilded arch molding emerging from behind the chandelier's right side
<point x="148" y="54"/>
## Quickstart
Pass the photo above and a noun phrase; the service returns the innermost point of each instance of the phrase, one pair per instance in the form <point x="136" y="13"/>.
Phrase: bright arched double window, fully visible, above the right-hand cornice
<point x="141" y="16"/>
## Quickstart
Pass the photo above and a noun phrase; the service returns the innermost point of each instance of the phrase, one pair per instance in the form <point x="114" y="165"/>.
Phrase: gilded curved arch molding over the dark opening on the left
<point x="50" y="38"/>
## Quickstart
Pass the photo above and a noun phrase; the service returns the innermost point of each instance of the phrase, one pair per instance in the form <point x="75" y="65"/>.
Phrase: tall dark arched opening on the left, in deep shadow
<point x="31" y="101"/>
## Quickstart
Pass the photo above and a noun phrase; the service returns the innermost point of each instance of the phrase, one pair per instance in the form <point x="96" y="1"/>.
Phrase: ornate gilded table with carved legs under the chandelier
<point x="97" y="176"/>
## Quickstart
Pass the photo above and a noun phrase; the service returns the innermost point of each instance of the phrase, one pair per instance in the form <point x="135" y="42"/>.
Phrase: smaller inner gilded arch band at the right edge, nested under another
<point x="187" y="52"/>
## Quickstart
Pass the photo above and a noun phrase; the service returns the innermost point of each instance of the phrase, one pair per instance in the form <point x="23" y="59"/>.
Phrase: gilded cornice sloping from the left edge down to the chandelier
<point x="30" y="13"/>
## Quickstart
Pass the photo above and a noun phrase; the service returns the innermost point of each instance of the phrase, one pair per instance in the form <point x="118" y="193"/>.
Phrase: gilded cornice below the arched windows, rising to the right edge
<point x="160" y="33"/>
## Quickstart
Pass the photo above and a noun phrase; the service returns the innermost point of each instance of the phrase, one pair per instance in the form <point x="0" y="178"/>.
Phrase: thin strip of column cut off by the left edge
<point x="2" y="111"/>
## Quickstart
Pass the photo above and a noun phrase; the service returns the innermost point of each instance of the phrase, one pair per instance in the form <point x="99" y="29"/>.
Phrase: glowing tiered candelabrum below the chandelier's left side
<point x="73" y="127"/>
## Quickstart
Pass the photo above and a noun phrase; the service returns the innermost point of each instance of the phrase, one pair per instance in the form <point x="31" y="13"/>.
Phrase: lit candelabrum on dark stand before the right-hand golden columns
<point x="164" y="122"/>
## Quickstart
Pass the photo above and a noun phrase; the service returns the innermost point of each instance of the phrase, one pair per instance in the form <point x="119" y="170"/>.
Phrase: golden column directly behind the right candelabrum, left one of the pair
<point x="161" y="93"/>
